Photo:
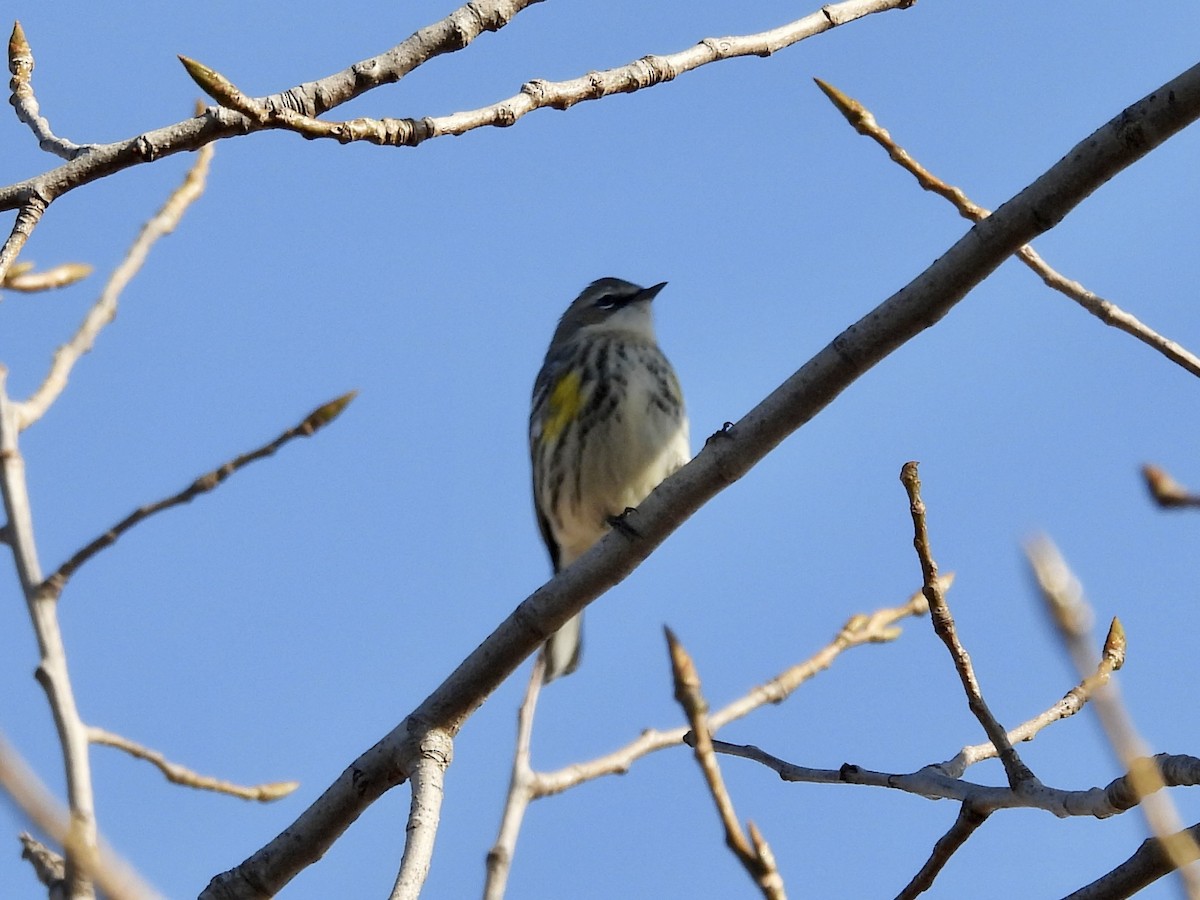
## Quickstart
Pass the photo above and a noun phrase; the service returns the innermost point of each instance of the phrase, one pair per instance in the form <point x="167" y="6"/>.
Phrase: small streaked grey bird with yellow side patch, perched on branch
<point x="607" y="427"/>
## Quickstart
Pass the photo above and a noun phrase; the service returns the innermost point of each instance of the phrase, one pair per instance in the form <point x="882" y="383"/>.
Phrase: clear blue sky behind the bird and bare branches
<point x="280" y="627"/>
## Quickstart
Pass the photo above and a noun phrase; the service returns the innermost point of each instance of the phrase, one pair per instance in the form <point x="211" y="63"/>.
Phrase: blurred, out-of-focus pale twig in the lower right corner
<point x="1072" y="615"/>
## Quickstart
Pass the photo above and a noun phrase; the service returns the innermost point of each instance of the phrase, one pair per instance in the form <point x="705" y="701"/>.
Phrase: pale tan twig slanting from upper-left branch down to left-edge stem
<point x="164" y="223"/>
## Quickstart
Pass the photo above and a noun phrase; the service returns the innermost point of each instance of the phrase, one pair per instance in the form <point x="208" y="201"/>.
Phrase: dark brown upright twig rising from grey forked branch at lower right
<point x="944" y="626"/>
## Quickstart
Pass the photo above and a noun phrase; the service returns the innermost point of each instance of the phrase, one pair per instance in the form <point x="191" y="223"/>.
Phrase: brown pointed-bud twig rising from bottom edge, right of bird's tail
<point x="754" y="854"/>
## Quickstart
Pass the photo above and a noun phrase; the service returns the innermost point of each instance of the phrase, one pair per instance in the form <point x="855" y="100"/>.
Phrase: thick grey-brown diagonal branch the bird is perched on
<point x="727" y="458"/>
